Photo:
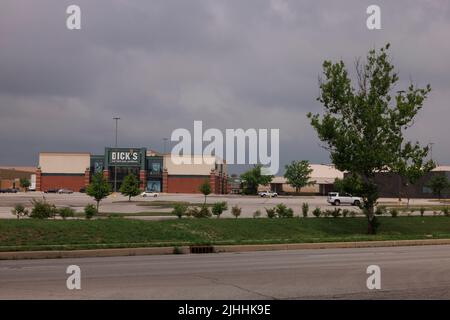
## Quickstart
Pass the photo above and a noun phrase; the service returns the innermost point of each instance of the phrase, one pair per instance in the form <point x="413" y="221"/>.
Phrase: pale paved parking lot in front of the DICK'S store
<point x="117" y="203"/>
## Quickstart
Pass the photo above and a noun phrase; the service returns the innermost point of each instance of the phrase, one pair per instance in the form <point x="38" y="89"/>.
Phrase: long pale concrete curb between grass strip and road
<point x="15" y="255"/>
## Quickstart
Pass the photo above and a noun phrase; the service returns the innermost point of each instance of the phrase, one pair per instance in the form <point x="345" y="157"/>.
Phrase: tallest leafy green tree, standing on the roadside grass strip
<point x="362" y="127"/>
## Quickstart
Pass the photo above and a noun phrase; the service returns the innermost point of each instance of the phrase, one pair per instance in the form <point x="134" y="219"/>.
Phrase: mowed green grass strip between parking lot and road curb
<point x="29" y="234"/>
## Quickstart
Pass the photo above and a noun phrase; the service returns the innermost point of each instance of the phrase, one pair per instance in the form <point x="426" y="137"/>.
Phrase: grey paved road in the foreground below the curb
<point x="406" y="273"/>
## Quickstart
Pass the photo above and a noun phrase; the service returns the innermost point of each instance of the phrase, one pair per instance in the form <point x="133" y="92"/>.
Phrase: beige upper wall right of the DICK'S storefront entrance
<point x="189" y="166"/>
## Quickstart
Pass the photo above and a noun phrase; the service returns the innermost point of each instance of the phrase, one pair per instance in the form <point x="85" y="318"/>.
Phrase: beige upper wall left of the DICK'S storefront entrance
<point x="61" y="162"/>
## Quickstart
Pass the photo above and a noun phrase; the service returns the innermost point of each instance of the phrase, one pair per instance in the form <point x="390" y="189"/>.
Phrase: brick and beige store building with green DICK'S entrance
<point x="157" y="172"/>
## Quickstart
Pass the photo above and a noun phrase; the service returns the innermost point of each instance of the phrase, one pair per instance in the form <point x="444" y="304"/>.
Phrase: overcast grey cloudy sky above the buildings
<point x="161" y="64"/>
